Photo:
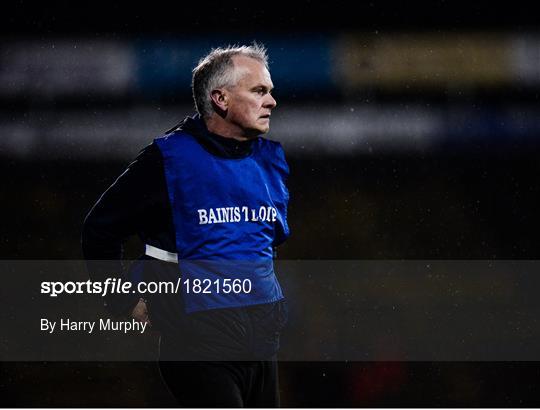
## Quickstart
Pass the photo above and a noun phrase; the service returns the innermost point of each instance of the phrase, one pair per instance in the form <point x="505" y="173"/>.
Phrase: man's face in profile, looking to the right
<point x="249" y="101"/>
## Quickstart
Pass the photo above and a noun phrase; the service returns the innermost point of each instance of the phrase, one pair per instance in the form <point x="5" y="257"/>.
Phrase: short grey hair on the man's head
<point x="215" y="70"/>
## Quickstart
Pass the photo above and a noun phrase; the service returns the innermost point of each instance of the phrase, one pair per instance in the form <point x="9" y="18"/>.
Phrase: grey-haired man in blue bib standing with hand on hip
<point x="210" y="202"/>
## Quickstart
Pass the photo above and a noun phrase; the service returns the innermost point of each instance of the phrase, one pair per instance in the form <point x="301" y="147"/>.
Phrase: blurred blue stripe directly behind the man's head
<point x="298" y="65"/>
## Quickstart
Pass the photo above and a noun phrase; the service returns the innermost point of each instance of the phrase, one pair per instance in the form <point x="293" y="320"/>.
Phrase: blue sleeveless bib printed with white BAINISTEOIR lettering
<point x="228" y="214"/>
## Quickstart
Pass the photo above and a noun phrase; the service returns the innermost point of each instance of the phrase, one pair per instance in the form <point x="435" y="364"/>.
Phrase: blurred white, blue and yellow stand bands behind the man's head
<point x="341" y="94"/>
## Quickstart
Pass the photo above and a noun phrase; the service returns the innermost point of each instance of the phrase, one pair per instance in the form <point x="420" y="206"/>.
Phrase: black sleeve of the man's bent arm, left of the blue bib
<point x="128" y="207"/>
